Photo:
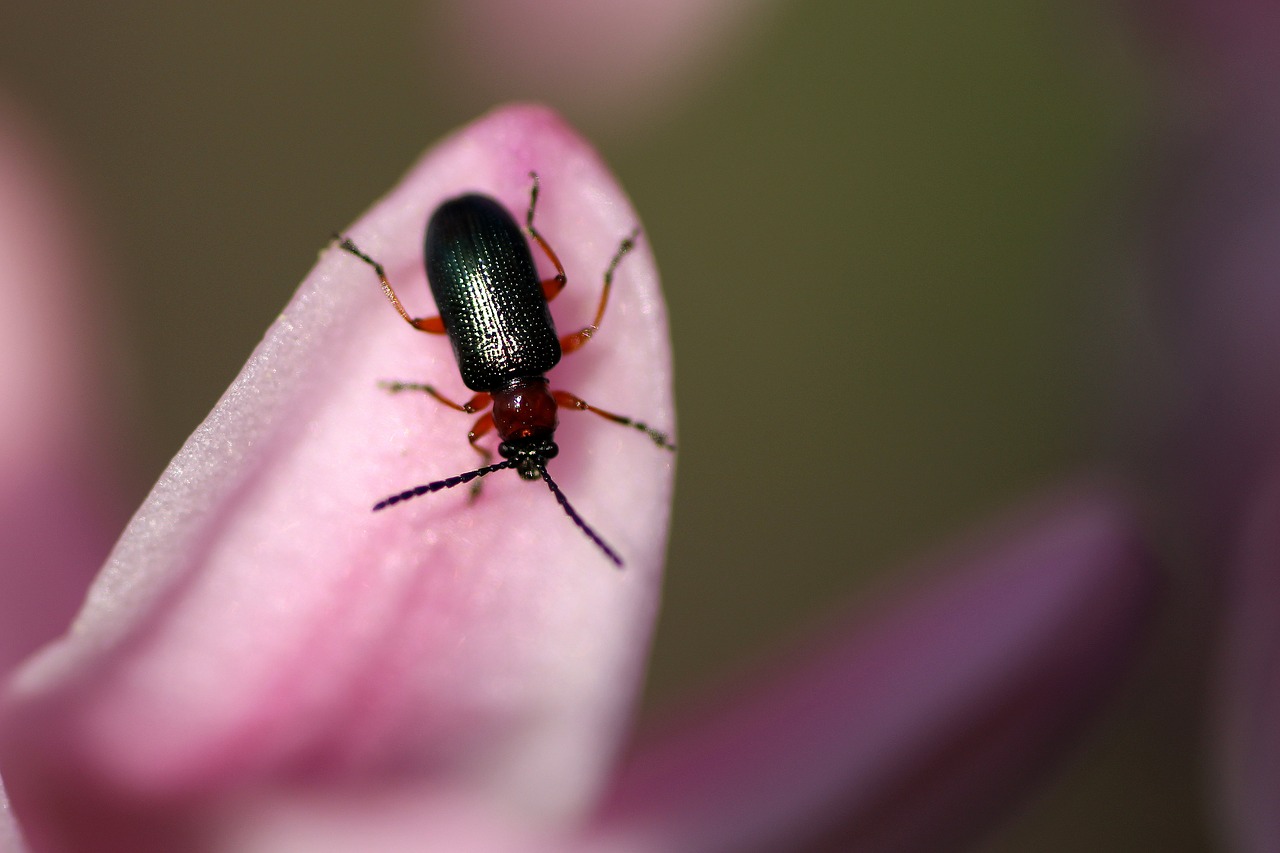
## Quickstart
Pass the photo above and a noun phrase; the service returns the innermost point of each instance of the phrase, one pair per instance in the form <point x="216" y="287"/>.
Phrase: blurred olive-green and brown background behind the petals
<point x="881" y="234"/>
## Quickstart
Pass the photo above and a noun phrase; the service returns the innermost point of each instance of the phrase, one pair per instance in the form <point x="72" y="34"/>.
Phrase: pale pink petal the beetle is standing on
<point x="259" y="630"/>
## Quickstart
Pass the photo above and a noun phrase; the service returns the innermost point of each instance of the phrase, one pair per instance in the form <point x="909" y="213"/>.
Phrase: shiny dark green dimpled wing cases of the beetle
<point x="488" y="293"/>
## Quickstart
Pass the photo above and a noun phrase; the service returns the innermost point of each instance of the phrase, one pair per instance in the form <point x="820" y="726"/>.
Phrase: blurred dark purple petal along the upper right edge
<point x="1210" y="262"/>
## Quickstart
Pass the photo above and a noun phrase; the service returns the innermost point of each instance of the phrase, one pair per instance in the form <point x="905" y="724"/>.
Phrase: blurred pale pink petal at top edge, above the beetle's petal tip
<point x="611" y="60"/>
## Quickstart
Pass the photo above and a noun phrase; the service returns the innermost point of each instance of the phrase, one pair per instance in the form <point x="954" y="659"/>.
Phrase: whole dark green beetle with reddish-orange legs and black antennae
<point x="493" y="307"/>
